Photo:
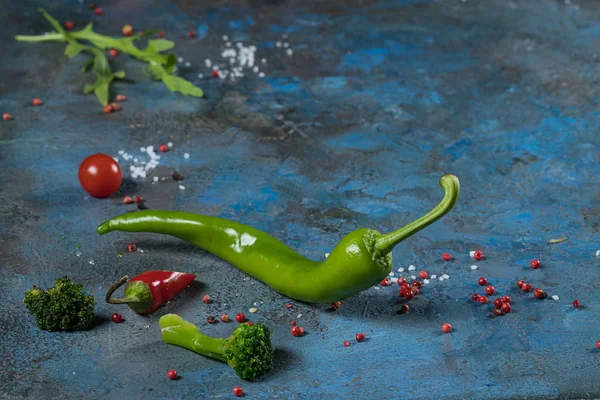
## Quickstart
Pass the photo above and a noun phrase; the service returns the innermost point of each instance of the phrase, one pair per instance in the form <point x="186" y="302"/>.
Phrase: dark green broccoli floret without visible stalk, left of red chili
<point x="64" y="307"/>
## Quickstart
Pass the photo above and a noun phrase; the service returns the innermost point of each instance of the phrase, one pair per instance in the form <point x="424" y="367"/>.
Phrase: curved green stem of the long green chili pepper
<point x="385" y="243"/>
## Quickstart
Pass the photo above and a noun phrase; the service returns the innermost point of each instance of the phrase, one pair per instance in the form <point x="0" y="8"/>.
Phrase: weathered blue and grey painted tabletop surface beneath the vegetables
<point x="382" y="100"/>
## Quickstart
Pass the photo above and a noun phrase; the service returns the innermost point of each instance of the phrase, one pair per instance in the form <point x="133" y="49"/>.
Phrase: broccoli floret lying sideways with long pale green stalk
<point x="248" y="350"/>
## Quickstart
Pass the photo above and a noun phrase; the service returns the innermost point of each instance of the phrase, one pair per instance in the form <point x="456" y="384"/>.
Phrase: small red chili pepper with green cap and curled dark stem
<point x="150" y="290"/>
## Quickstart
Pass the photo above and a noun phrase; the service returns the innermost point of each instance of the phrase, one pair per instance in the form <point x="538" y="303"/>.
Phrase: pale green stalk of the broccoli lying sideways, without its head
<point x="179" y="332"/>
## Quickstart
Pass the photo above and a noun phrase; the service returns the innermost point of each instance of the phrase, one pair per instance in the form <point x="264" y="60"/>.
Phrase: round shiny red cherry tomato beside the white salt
<point x="100" y="175"/>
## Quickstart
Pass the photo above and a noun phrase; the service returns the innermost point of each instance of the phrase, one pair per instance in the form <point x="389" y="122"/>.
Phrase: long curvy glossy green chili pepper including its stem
<point x="362" y="259"/>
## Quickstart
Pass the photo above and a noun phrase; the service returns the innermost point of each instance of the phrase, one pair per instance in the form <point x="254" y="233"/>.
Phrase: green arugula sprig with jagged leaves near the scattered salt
<point x="161" y="66"/>
